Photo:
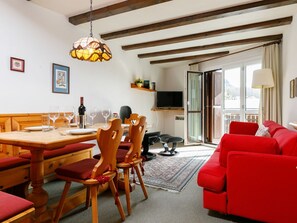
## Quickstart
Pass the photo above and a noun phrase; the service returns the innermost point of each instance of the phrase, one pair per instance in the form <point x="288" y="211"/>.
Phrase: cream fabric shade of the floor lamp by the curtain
<point x="262" y="78"/>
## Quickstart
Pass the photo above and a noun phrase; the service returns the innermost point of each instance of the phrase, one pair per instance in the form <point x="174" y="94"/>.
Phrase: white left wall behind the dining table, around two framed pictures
<point x="42" y="37"/>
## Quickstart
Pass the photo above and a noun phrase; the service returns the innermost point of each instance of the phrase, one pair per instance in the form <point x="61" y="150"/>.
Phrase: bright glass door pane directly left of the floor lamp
<point x="252" y="95"/>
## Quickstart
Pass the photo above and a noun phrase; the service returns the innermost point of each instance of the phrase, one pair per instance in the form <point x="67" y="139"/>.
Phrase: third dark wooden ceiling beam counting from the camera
<point x="214" y="33"/>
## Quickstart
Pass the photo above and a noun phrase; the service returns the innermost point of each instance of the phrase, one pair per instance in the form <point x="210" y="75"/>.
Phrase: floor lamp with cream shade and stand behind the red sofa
<point x="262" y="78"/>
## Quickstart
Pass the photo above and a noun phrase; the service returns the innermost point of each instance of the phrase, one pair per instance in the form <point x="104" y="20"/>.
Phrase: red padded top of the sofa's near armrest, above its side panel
<point x="246" y="143"/>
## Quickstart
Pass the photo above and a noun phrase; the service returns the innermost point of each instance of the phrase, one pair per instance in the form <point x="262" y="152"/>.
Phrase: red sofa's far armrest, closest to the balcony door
<point x="243" y="128"/>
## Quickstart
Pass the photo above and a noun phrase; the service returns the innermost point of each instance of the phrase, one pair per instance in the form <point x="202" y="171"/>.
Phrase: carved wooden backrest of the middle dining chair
<point x="136" y="134"/>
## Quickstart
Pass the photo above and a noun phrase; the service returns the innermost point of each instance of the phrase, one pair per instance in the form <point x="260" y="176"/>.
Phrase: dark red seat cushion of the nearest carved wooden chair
<point x="78" y="170"/>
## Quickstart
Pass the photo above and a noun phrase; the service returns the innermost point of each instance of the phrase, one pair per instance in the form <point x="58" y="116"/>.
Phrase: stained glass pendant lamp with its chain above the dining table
<point x="90" y="48"/>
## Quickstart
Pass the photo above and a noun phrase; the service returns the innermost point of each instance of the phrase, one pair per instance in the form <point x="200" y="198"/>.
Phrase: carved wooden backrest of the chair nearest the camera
<point x="108" y="141"/>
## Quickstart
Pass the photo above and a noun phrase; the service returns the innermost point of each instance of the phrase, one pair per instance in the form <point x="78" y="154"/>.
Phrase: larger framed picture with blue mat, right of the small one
<point x="61" y="76"/>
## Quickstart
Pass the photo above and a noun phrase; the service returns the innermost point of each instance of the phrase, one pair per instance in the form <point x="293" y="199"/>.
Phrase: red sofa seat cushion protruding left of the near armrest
<point x="212" y="176"/>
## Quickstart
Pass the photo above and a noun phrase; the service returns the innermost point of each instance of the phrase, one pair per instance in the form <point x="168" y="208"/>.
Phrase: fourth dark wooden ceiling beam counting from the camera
<point x="213" y="46"/>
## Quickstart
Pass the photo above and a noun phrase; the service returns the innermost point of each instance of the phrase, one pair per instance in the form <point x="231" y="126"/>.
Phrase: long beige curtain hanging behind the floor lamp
<point x="272" y="96"/>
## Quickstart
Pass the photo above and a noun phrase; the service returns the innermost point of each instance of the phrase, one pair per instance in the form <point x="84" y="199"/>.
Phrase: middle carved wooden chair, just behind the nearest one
<point x="131" y="159"/>
